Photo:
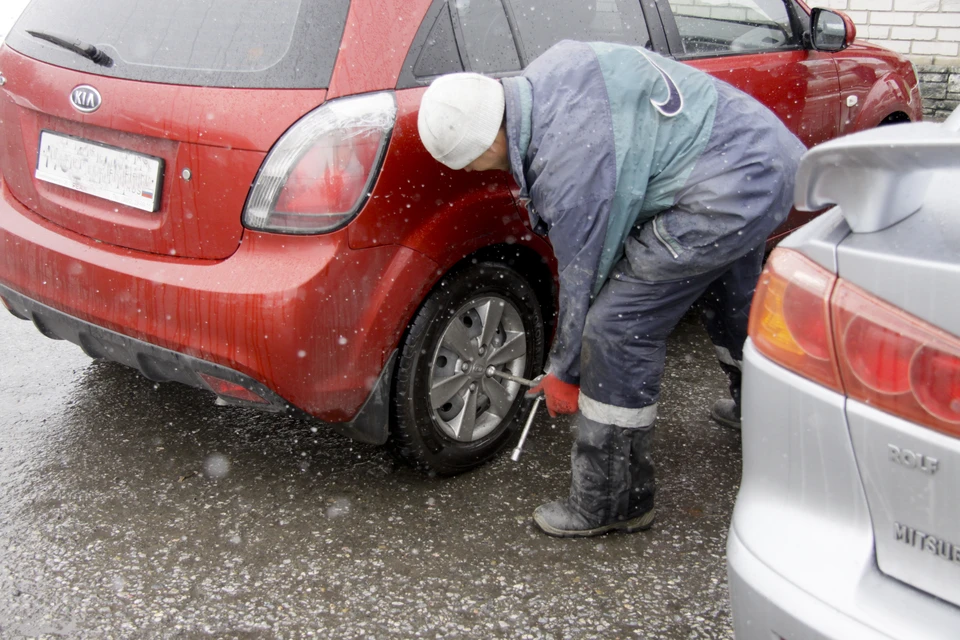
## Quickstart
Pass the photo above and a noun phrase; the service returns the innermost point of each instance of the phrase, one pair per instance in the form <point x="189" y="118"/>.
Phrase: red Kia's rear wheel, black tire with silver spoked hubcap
<point x="420" y="432"/>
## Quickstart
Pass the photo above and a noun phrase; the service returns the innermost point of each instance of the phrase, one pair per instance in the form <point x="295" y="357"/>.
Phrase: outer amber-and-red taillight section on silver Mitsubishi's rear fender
<point x="790" y="316"/>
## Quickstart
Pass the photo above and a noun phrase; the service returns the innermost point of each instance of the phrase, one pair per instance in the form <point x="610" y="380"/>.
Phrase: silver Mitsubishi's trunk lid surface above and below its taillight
<point x="891" y="264"/>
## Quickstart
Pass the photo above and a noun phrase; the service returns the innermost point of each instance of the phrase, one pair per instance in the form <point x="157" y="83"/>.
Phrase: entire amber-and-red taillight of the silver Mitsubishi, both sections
<point x="834" y="333"/>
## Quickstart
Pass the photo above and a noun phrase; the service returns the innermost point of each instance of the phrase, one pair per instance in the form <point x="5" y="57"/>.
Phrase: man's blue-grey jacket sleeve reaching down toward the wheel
<point x="572" y="175"/>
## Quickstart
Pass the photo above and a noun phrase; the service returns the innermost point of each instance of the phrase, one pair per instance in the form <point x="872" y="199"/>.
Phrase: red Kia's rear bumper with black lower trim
<point x="299" y="321"/>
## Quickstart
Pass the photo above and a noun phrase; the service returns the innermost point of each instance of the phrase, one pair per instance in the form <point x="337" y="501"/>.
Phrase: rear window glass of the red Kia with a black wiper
<point x="221" y="43"/>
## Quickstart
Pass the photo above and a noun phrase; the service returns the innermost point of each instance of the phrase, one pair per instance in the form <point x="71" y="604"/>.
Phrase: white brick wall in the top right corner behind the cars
<point x="926" y="31"/>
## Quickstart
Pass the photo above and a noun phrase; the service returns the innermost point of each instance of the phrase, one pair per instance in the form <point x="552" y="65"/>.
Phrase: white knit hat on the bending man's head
<point x="460" y="115"/>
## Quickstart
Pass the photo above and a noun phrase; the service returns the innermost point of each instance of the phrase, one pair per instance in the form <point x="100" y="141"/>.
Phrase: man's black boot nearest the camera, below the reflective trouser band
<point x="612" y="484"/>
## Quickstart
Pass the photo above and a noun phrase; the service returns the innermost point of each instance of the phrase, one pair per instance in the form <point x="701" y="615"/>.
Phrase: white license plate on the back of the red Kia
<point x="120" y="176"/>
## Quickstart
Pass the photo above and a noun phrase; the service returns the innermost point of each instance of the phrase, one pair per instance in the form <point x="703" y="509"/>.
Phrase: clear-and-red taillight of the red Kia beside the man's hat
<point x="319" y="174"/>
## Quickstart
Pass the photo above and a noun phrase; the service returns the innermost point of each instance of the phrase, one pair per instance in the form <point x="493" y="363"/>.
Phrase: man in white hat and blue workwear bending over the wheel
<point x="658" y="186"/>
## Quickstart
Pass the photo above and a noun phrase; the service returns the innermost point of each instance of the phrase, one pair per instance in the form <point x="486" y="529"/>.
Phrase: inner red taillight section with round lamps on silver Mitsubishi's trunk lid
<point x="896" y="362"/>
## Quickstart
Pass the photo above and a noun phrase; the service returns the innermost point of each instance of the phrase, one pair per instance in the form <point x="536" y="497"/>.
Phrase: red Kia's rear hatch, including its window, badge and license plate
<point x="143" y="124"/>
